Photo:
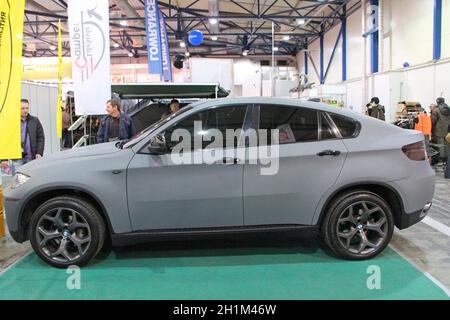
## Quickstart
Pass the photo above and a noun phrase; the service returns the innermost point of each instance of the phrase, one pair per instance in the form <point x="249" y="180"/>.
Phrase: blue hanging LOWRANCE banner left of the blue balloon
<point x="157" y="43"/>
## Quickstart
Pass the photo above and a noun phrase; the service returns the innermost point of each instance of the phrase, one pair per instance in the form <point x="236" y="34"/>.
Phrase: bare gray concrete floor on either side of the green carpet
<point x="422" y="245"/>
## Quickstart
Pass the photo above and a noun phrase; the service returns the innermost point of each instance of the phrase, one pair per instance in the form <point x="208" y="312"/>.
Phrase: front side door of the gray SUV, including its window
<point x="164" y="194"/>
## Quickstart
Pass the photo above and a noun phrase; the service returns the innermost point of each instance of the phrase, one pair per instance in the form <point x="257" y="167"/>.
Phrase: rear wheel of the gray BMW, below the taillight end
<point x="358" y="225"/>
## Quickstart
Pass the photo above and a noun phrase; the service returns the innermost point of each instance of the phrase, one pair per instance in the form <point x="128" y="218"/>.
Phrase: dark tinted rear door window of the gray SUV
<point x="294" y="124"/>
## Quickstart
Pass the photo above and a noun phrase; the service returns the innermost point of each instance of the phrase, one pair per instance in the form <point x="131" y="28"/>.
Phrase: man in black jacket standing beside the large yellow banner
<point x="32" y="136"/>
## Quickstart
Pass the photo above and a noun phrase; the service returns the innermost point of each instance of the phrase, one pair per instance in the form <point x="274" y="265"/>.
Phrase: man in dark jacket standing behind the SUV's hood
<point x="116" y="125"/>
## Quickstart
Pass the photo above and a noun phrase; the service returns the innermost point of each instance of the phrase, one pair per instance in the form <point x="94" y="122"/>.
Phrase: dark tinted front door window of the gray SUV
<point x="220" y="118"/>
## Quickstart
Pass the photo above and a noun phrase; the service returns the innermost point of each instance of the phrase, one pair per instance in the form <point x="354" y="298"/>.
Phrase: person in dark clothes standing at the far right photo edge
<point x="441" y="122"/>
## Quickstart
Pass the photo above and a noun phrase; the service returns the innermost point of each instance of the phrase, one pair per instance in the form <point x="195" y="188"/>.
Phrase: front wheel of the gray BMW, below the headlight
<point x="66" y="231"/>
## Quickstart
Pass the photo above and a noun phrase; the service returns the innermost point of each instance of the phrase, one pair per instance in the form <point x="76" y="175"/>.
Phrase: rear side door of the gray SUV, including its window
<point x="311" y="156"/>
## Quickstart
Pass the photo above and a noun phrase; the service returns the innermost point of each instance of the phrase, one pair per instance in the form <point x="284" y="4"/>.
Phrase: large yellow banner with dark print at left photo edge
<point x="11" y="40"/>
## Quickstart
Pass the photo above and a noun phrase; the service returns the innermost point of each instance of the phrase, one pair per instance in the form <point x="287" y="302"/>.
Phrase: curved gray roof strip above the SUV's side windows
<point x="273" y="101"/>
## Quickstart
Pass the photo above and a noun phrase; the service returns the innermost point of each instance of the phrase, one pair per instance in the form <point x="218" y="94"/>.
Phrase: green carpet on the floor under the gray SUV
<point x="221" y="270"/>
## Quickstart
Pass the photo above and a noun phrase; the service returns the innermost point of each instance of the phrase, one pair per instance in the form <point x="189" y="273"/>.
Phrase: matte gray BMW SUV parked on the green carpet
<point x="272" y="165"/>
